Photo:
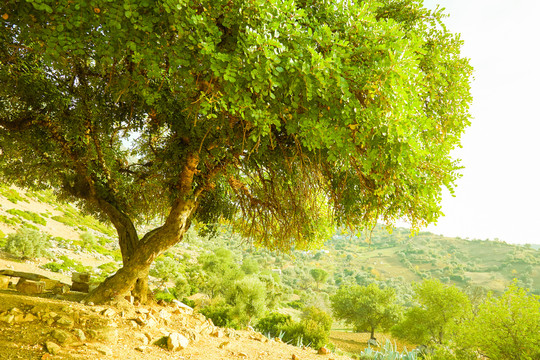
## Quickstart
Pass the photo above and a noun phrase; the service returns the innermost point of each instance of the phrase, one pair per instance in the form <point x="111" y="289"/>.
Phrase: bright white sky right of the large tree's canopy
<point x="499" y="193"/>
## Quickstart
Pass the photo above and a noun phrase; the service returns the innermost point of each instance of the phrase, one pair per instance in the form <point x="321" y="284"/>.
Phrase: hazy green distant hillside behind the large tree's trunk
<point x="395" y="258"/>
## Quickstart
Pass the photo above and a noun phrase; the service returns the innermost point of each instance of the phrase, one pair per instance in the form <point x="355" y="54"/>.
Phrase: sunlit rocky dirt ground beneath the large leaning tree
<point x="48" y="326"/>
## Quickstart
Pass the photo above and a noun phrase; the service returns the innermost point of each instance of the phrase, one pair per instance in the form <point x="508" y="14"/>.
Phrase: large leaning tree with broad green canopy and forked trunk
<point x="282" y="118"/>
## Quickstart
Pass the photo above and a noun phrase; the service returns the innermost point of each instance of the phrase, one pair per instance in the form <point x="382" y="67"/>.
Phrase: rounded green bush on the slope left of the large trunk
<point x="27" y="243"/>
